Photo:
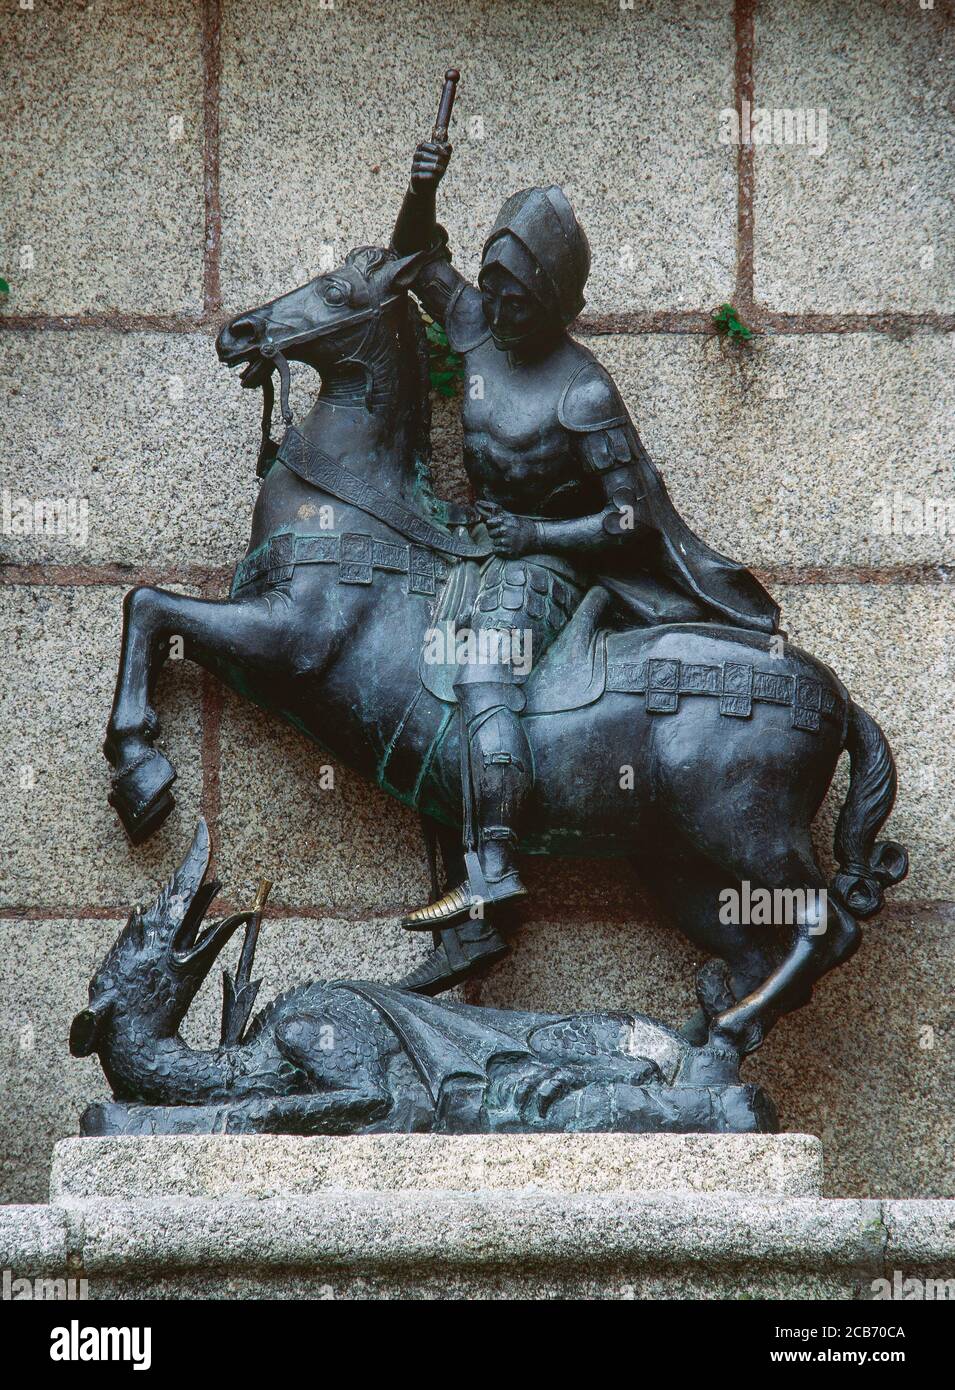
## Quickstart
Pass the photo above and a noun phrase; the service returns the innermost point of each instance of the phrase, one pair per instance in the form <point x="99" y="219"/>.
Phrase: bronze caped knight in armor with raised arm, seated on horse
<point x="564" y="487"/>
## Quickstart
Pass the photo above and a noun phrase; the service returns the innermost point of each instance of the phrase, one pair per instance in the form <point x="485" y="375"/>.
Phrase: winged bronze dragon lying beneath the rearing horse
<point x="347" y="1057"/>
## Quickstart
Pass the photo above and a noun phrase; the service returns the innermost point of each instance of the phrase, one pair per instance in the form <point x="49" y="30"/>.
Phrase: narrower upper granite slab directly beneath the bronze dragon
<point x="270" y="1166"/>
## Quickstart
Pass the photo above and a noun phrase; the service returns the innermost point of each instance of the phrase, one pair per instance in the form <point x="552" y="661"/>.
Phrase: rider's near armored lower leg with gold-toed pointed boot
<point x="500" y="768"/>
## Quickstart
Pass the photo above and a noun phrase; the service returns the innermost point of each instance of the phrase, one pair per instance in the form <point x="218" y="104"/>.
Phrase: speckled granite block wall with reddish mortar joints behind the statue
<point x="172" y="163"/>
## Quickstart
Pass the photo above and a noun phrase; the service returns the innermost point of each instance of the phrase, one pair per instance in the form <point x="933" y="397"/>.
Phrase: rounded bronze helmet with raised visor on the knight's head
<point x="539" y="240"/>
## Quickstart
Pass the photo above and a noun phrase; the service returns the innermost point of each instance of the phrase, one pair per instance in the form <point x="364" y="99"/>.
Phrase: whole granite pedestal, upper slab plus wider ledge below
<point x="471" y="1217"/>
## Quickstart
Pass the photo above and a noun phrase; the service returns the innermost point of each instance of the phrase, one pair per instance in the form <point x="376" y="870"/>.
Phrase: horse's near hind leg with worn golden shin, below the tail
<point x="822" y="935"/>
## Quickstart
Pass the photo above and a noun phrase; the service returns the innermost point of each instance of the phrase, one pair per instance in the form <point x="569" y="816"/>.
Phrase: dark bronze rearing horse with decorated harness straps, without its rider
<point x="701" y="753"/>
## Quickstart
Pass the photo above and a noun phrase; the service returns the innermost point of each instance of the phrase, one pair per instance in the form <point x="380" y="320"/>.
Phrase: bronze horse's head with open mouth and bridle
<point x="330" y="320"/>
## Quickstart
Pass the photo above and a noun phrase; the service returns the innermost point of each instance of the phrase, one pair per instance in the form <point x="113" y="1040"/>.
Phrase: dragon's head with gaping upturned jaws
<point x="158" y="964"/>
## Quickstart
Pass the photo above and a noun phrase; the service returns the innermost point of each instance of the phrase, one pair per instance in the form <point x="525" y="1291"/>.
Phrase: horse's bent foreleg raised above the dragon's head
<point x="215" y="633"/>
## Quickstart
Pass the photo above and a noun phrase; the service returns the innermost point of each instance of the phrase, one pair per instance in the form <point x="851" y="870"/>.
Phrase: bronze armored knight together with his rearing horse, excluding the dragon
<point x="664" y="719"/>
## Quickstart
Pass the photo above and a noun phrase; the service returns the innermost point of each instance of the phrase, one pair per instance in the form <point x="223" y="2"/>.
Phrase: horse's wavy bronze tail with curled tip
<point x="867" y="868"/>
